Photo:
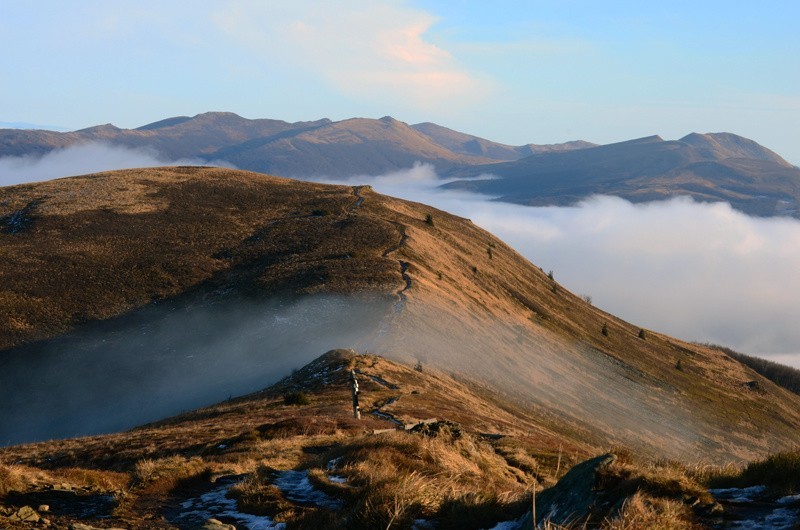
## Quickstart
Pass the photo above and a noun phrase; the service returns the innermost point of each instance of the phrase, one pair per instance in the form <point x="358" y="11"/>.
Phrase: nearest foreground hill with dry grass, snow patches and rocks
<point x="428" y="451"/>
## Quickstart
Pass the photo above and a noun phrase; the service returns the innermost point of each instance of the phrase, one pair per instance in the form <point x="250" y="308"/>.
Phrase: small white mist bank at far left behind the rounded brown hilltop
<point x="86" y="158"/>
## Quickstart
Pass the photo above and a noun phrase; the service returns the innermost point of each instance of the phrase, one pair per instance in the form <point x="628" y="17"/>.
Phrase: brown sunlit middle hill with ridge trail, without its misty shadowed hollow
<point x="98" y="246"/>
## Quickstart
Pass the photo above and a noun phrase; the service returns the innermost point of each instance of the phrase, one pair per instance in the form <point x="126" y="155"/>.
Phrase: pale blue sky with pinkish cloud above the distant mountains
<point x="515" y="72"/>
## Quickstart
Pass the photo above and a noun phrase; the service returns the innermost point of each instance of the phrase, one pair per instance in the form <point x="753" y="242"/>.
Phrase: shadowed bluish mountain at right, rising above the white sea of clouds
<point x="707" y="167"/>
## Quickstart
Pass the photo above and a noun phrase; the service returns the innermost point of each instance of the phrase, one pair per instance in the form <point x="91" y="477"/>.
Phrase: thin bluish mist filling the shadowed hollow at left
<point x="163" y="360"/>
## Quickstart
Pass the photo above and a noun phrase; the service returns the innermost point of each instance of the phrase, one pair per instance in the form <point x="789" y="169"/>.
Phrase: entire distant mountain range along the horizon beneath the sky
<point x="708" y="167"/>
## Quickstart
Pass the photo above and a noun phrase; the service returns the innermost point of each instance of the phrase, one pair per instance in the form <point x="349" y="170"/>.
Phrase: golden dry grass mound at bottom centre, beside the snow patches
<point x="395" y="478"/>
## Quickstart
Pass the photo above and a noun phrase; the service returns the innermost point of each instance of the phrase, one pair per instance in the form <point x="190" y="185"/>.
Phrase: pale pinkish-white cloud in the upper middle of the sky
<point x="367" y="50"/>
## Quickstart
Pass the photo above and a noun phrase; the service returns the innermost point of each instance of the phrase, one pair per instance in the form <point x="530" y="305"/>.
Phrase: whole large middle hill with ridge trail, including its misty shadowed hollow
<point x="249" y="272"/>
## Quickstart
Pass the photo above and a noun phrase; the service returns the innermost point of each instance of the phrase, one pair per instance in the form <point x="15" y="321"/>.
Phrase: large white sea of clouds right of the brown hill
<point x="698" y="271"/>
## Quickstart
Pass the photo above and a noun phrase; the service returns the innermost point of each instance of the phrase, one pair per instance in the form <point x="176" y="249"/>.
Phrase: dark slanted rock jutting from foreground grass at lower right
<point x="572" y="498"/>
